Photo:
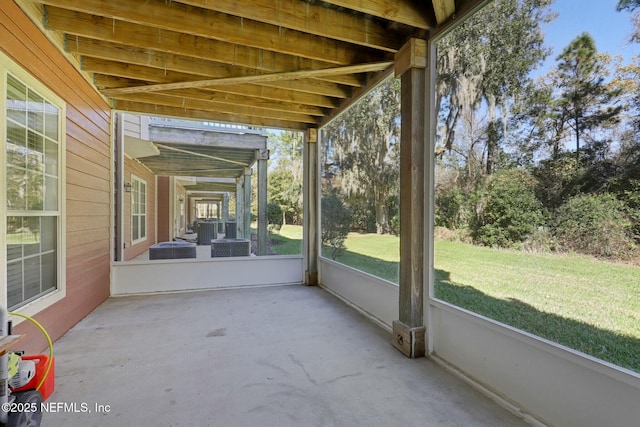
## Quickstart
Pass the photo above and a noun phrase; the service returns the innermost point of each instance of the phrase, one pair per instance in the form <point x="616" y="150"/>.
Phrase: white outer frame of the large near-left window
<point x="7" y="66"/>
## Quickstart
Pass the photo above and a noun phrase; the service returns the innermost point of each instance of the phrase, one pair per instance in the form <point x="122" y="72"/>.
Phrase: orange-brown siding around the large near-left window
<point x="88" y="175"/>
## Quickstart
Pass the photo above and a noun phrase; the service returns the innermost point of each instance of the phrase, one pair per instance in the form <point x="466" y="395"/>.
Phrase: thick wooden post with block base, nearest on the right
<point x="409" y="330"/>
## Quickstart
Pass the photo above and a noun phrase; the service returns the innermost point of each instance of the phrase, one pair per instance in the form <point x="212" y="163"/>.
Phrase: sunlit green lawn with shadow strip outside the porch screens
<point x="590" y="305"/>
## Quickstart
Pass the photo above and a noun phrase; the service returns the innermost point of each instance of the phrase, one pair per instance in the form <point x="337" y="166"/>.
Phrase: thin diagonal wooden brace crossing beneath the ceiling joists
<point x="293" y="75"/>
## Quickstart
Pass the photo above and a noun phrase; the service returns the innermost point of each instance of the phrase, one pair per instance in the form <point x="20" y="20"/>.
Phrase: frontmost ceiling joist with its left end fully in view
<point x="136" y="36"/>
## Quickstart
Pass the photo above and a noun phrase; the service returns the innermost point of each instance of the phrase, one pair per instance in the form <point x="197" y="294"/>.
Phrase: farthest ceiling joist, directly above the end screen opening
<point x="166" y="111"/>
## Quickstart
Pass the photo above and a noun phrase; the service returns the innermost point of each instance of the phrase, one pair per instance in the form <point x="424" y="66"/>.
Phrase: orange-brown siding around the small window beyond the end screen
<point x="133" y="167"/>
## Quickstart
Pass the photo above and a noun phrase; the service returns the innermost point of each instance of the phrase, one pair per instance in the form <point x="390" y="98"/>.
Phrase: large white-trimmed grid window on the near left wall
<point x="33" y="135"/>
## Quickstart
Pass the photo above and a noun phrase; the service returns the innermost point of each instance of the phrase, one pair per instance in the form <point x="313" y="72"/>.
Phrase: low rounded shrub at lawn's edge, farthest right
<point x="595" y="224"/>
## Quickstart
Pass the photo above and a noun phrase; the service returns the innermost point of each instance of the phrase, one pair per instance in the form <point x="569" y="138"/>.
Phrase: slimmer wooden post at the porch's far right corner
<point x="311" y="206"/>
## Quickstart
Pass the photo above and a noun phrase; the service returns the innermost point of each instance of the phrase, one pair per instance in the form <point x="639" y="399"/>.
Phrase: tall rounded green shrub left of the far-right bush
<point x="510" y="211"/>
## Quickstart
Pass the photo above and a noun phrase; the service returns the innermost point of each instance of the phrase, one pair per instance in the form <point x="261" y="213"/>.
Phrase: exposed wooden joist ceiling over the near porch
<point x="271" y="63"/>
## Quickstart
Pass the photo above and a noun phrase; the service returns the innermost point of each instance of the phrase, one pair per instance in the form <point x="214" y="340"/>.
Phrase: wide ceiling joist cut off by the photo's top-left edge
<point x="186" y="19"/>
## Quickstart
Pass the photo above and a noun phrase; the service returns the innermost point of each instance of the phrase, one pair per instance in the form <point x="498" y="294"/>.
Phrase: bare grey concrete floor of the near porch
<point x="271" y="356"/>
